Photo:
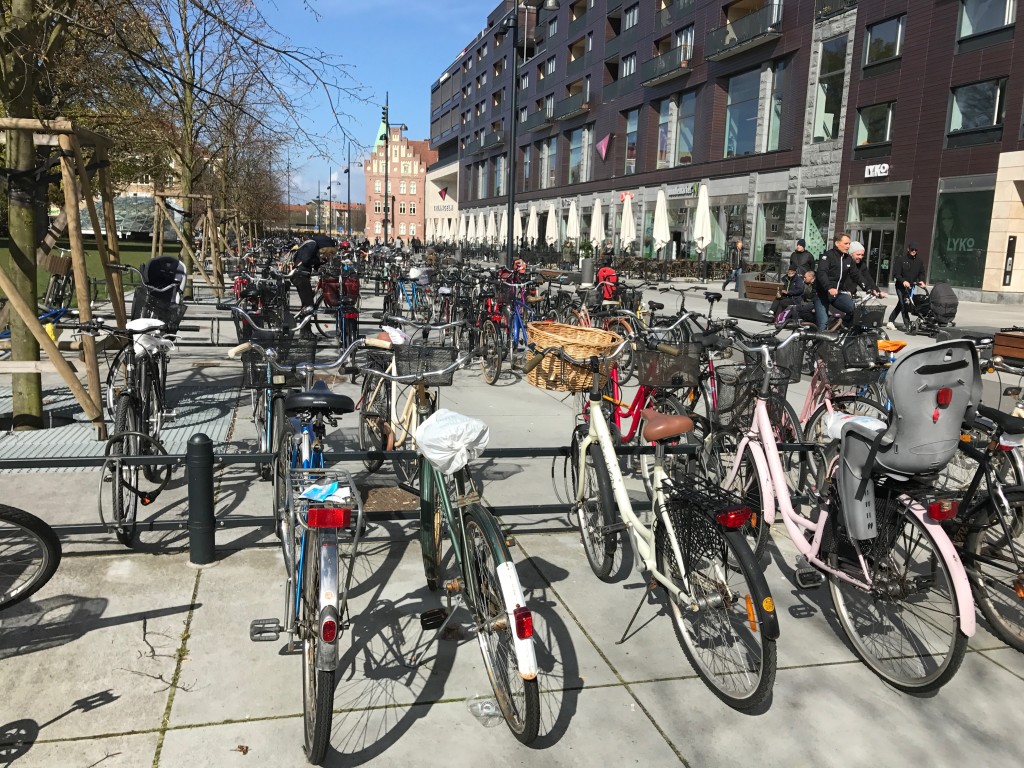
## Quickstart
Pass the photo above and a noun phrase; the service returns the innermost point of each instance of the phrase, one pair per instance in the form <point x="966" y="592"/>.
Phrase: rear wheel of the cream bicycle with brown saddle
<point x="724" y="587"/>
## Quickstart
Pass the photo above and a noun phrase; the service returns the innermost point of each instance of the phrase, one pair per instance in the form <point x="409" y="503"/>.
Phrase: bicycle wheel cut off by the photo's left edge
<point x="30" y="553"/>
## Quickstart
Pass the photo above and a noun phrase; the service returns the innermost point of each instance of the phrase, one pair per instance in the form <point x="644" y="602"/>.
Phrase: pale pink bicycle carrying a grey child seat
<point x="901" y="592"/>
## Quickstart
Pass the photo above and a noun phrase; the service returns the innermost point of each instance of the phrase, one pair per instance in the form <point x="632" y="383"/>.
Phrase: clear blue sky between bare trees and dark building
<point x="395" y="47"/>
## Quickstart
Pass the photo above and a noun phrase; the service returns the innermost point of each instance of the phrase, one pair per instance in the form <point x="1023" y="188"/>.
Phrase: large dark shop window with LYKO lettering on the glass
<point x="961" y="242"/>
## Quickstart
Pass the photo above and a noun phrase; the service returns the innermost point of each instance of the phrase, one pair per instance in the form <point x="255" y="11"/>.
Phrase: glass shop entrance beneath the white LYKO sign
<point x="877" y="218"/>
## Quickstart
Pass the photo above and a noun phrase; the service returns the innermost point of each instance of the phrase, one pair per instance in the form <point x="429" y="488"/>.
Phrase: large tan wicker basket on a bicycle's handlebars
<point x="553" y="372"/>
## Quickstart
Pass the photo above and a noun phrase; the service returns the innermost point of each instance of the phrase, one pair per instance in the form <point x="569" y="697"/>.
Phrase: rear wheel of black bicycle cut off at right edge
<point x="995" y="557"/>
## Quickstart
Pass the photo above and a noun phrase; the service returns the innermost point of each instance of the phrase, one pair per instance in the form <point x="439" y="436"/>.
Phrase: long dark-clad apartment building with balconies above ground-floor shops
<point x="769" y="104"/>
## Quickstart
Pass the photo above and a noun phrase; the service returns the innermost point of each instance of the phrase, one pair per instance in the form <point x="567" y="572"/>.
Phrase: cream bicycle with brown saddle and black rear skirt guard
<point x="719" y="602"/>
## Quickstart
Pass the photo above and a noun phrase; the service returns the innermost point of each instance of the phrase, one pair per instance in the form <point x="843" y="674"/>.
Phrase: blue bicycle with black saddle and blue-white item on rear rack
<point x="314" y="523"/>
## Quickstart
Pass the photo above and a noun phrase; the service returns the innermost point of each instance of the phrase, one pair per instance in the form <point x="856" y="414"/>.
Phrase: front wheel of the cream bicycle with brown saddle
<point x="598" y="510"/>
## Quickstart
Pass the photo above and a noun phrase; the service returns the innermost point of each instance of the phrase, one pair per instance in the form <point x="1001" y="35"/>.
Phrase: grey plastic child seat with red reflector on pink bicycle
<point x="922" y="436"/>
